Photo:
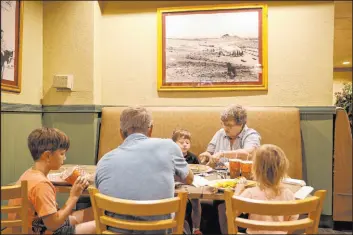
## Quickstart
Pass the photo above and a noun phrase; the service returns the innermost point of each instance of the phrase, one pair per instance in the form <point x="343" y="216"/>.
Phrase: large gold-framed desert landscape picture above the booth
<point x="222" y="47"/>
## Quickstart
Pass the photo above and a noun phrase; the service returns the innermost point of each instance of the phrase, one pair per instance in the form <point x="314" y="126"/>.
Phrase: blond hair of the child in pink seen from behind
<point x="270" y="166"/>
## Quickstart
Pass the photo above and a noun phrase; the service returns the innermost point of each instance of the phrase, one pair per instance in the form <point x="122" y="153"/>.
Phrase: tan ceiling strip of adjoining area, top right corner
<point x="343" y="34"/>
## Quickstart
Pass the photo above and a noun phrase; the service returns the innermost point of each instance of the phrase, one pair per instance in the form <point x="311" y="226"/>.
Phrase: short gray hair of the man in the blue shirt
<point x="135" y="119"/>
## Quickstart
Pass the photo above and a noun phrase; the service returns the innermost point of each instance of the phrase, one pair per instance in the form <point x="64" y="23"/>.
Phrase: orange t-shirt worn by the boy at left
<point x="41" y="195"/>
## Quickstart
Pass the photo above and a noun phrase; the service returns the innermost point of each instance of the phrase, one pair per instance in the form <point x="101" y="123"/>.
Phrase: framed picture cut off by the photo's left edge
<point x="11" y="45"/>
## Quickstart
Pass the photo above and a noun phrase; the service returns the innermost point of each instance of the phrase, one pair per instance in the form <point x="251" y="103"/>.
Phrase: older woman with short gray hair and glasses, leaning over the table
<point x="234" y="140"/>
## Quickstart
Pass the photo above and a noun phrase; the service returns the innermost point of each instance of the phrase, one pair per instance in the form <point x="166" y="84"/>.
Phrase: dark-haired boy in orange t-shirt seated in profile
<point x="48" y="147"/>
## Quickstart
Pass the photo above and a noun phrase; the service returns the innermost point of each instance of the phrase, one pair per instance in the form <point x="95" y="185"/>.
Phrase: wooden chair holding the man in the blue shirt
<point x="102" y="203"/>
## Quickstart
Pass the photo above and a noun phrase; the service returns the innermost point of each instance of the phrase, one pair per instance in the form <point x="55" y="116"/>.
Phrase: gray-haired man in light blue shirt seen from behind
<point x="141" y="168"/>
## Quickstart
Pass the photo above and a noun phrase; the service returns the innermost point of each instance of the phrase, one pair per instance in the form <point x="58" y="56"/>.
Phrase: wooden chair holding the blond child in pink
<point x="312" y="206"/>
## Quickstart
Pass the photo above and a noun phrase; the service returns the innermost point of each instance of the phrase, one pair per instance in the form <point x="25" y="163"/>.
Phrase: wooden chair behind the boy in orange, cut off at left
<point x="21" y="211"/>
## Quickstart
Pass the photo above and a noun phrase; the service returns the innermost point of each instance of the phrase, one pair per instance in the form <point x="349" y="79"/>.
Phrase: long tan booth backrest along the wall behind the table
<point x="276" y="125"/>
